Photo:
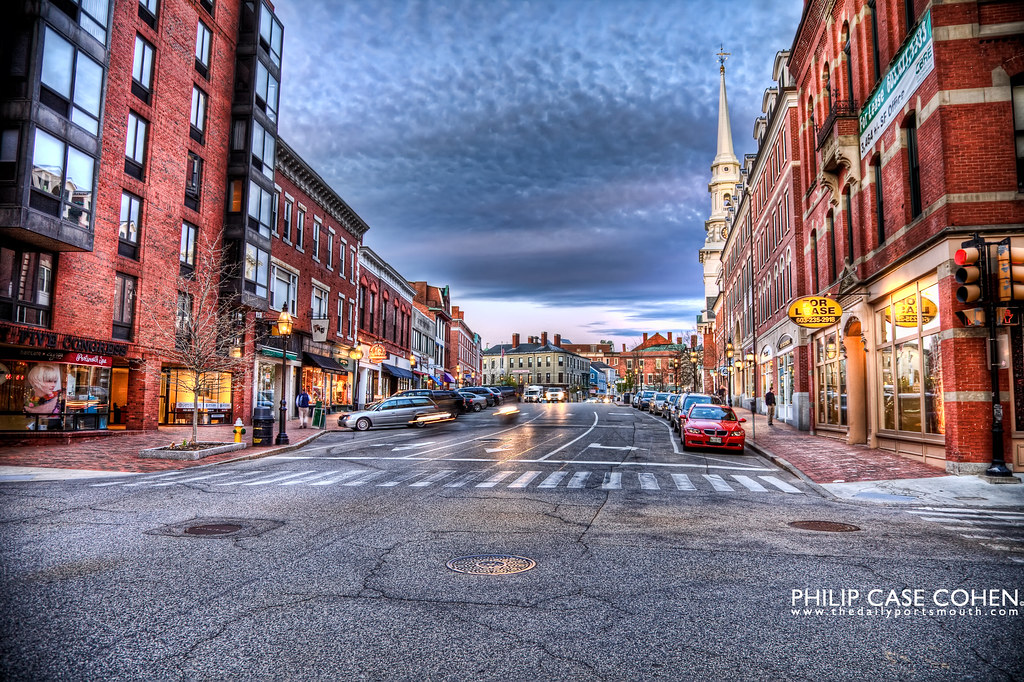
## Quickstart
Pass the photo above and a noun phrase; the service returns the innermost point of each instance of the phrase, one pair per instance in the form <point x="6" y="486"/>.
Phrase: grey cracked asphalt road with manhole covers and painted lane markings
<point x="332" y="564"/>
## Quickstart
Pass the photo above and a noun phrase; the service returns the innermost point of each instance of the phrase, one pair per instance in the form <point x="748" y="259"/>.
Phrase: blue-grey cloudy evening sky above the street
<point x="547" y="159"/>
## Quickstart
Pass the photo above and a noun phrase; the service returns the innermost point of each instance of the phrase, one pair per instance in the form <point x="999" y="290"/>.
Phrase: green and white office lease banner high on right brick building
<point x="909" y="71"/>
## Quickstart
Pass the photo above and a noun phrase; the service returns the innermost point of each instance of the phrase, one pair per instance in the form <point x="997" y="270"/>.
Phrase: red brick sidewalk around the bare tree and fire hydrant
<point x="120" y="452"/>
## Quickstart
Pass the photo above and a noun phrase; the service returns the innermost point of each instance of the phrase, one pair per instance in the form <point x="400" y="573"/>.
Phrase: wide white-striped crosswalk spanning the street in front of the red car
<point x="495" y="478"/>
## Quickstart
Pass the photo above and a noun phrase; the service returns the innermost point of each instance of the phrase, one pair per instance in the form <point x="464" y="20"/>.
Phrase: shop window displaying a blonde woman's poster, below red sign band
<point x="54" y="397"/>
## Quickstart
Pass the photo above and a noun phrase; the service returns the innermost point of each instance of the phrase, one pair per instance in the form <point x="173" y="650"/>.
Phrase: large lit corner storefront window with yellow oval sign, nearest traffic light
<point x="911" y="362"/>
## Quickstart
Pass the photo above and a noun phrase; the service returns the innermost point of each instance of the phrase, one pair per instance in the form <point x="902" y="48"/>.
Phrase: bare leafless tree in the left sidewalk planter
<point x="207" y="336"/>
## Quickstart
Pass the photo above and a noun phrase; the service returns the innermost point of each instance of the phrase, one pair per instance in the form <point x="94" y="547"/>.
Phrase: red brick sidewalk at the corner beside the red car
<point x="827" y="460"/>
